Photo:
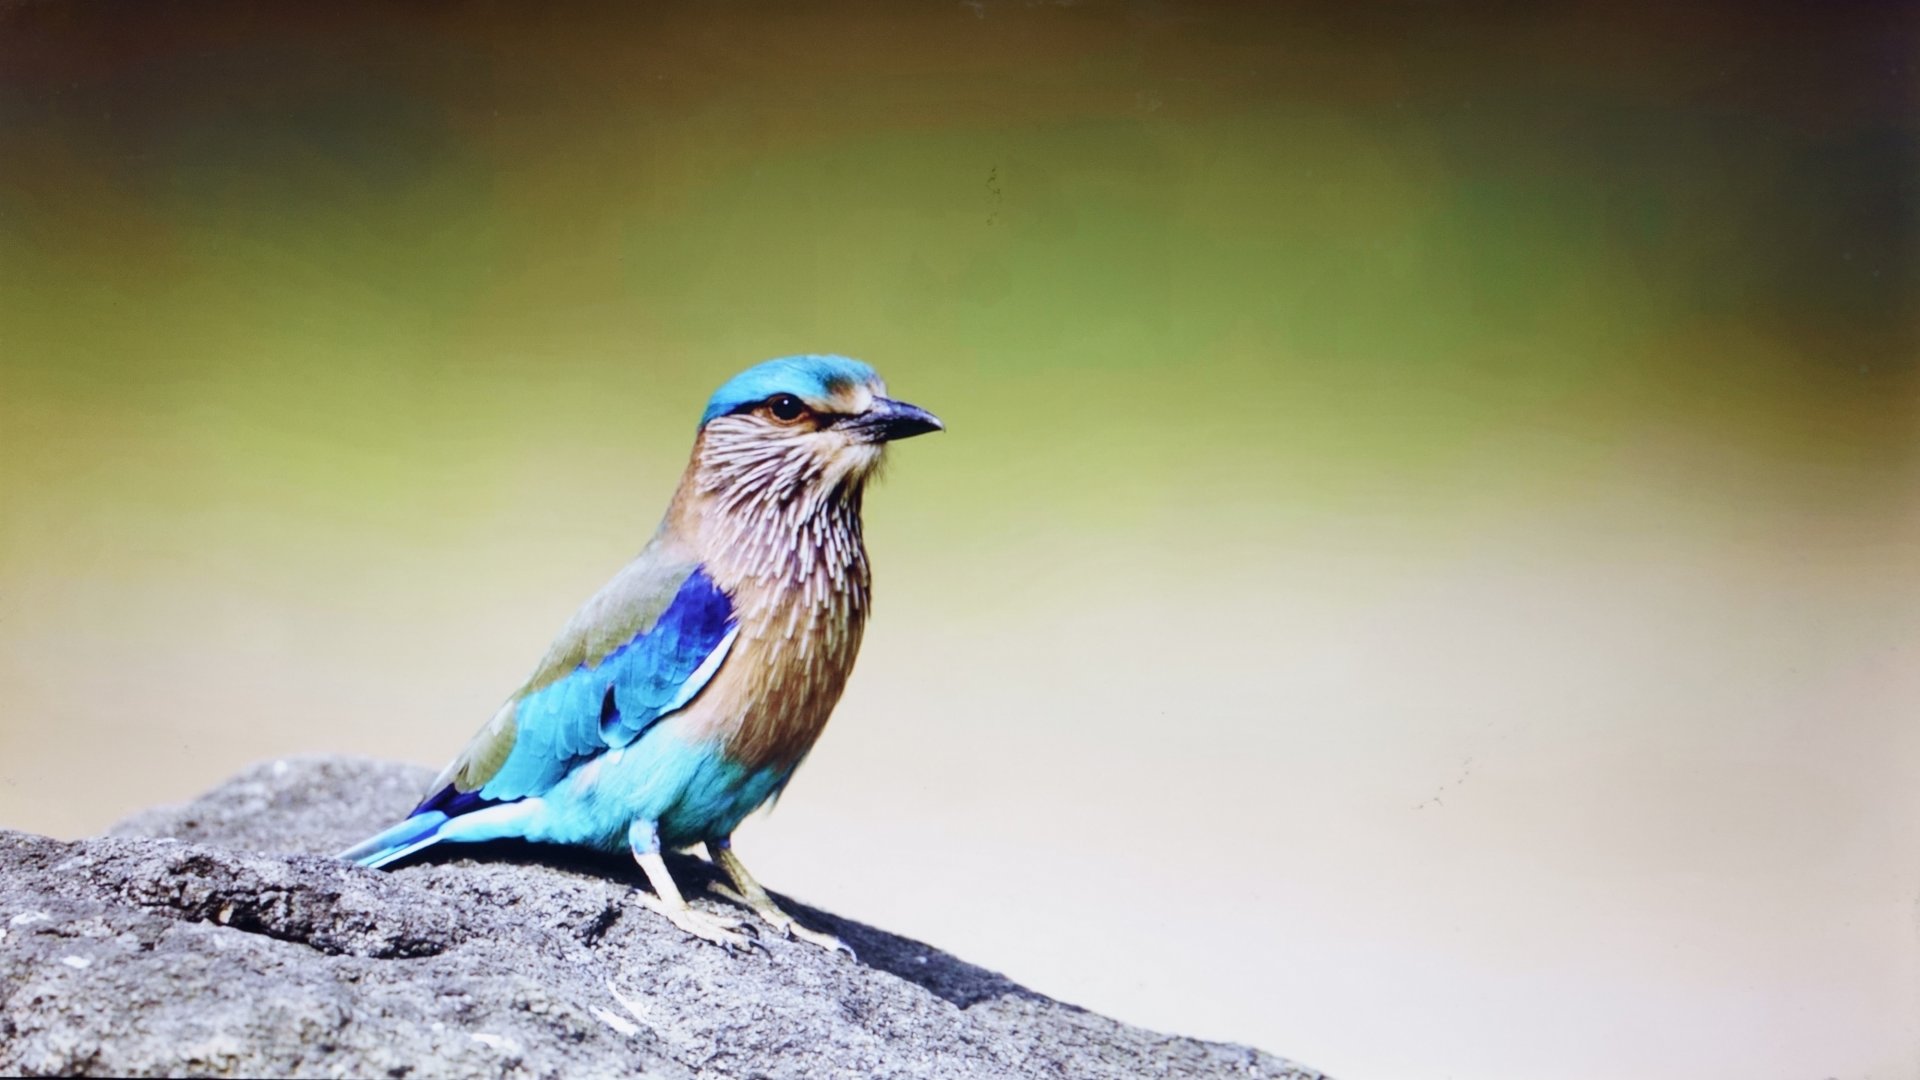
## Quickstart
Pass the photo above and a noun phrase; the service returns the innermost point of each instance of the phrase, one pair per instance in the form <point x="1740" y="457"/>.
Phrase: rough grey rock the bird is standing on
<point x="220" y="939"/>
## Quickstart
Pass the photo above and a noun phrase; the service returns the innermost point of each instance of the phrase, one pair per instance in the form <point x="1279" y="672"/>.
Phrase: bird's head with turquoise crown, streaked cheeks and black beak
<point x="802" y="422"/>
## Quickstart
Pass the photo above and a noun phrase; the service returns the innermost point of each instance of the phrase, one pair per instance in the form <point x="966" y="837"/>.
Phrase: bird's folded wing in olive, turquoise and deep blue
<point x="644" y="647"/>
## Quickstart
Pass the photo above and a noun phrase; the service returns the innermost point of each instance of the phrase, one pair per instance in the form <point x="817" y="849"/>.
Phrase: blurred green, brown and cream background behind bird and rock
<point x="1426" y="566"/>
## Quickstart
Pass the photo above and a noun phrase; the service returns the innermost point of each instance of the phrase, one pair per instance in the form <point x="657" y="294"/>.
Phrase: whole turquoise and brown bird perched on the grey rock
<point x="686" y="693"/>
